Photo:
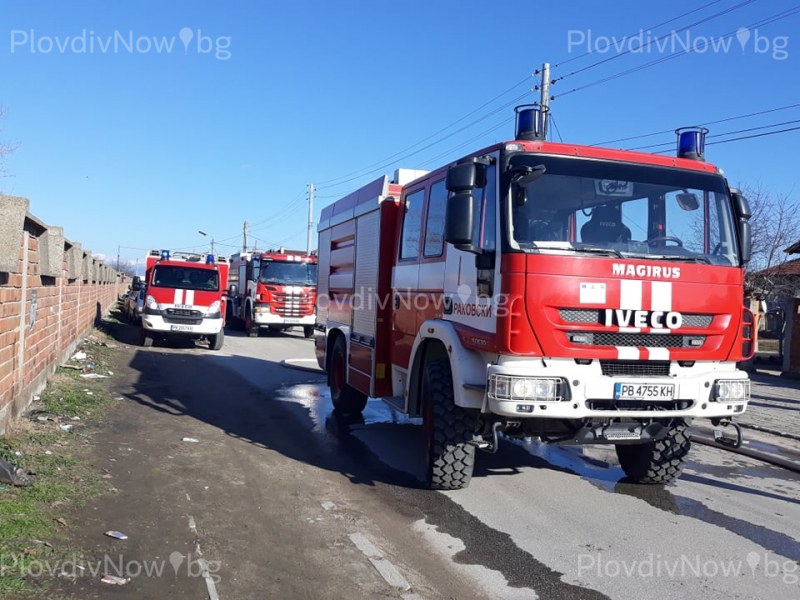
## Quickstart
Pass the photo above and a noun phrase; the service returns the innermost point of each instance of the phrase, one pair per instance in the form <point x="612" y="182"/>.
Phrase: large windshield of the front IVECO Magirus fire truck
<point x="620" y="209"/>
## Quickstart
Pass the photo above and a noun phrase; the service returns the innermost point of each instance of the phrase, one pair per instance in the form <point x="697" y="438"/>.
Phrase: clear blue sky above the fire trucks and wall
<point x="130" y="147"/>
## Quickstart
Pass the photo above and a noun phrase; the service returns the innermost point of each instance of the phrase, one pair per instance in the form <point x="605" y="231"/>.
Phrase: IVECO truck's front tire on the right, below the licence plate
<point x="656" y="462"/>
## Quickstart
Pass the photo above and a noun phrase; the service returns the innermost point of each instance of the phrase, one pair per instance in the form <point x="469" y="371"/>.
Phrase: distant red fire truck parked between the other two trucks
<point x="276" y="290"/>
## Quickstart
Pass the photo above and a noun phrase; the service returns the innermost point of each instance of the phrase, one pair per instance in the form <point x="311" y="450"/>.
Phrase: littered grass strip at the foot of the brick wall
<point x="30" y="531"/>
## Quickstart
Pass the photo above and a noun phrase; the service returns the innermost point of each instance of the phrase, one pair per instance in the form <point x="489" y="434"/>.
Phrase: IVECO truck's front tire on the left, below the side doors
<point x="449" y="429"/>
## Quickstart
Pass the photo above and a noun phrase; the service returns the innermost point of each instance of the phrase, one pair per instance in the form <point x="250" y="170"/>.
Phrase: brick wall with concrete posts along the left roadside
<point x="51" y="293"/>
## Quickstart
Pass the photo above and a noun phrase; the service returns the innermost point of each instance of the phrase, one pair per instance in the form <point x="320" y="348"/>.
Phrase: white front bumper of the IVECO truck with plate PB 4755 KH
<point x="585" y="393"/>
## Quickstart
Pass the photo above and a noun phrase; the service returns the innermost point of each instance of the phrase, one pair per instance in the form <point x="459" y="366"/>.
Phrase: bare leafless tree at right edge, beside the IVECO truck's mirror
<point x="775" y="225"/>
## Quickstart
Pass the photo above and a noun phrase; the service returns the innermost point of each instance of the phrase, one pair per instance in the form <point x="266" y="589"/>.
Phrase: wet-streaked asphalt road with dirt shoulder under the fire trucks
<point x="288" y="501"/>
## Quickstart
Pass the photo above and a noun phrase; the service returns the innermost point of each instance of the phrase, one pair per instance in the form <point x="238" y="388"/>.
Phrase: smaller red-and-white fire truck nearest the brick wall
<point x="185" y="297"/>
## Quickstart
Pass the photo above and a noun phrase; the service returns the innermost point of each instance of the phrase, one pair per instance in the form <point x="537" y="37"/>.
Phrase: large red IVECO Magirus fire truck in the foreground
<point x="575" y="294"/>
